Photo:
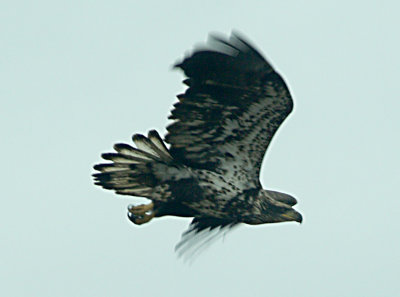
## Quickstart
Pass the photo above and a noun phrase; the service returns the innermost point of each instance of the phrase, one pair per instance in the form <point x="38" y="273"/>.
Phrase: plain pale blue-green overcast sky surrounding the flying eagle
<point x="78" y="76"/>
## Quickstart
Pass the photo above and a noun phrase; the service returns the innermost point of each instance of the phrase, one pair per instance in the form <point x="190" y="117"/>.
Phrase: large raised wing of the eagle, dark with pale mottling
<point x="227" y="117"/>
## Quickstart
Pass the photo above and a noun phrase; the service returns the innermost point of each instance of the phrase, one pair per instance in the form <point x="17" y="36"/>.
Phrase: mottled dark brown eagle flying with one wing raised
<point x="221" y="127"/>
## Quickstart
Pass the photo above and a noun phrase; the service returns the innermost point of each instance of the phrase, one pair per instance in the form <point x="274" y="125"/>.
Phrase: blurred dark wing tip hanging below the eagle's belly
<point x="200" y="234"/>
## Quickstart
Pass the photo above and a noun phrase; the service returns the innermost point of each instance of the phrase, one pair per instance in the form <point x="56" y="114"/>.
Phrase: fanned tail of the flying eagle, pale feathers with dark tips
<point x="133" y="171"/>
